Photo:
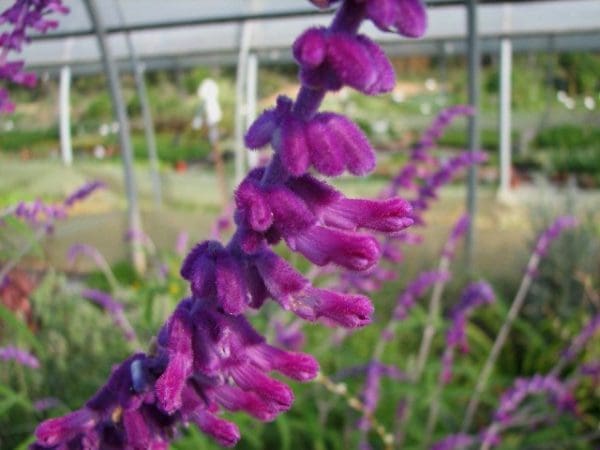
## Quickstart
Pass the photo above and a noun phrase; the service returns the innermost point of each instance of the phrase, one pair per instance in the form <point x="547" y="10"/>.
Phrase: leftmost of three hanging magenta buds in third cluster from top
<point x="293" y="146"/>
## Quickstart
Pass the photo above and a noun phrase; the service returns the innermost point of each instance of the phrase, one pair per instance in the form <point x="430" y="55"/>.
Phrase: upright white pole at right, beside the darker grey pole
<point x="505" y="116"/>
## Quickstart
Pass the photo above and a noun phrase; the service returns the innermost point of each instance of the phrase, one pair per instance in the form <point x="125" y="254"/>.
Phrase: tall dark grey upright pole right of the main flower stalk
<point x="473" y="128"/>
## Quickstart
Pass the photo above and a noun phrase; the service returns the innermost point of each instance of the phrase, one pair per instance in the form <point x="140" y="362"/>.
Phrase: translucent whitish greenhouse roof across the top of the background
<point x="210" y="31"/>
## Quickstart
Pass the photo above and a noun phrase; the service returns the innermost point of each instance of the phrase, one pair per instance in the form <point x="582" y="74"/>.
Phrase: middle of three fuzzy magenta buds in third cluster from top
<point x="325" y="155"/>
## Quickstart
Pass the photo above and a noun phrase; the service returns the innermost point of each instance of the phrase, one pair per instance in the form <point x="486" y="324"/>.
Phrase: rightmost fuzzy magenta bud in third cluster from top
<point x="358" y="153"/>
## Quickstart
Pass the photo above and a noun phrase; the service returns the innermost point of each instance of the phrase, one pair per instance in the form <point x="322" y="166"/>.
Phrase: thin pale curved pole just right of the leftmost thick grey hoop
<point x="140" y="84"/>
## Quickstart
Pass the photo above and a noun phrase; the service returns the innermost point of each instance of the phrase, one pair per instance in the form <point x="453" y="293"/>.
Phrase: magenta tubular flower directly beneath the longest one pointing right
<point x="351" y="250"/>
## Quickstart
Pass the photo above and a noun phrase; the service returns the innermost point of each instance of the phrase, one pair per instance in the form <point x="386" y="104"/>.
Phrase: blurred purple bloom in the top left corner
<point x="19" y="19"/>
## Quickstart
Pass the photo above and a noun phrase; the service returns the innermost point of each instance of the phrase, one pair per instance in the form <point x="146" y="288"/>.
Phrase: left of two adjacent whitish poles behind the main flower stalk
<point x="240" y="110"/>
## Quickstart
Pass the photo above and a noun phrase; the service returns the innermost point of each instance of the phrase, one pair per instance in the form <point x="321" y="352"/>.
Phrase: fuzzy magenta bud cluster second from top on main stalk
<point x="329" y="60"/>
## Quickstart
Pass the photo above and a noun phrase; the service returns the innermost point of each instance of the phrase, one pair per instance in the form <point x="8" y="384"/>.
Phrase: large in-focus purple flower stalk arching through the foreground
<point x="207" y="357"/>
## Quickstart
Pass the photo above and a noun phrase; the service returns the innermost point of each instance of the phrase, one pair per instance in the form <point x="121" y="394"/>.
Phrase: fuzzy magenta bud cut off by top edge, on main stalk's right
<point x="406" y="17"/>
